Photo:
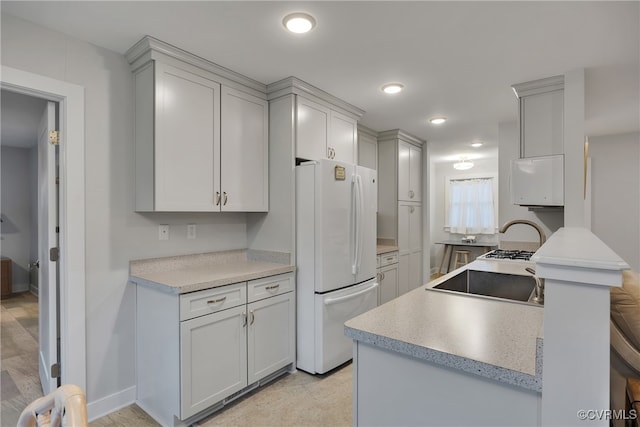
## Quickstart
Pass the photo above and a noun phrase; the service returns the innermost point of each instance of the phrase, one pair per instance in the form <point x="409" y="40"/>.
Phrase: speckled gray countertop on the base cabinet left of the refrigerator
<point x="190" y="273"/>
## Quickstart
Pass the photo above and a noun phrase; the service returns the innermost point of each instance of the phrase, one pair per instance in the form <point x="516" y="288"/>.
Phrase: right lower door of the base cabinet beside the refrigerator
<point x="271" y="335"/>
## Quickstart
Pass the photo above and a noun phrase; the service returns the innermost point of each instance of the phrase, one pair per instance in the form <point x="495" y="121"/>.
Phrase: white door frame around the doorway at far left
<point x="70" y="99"/>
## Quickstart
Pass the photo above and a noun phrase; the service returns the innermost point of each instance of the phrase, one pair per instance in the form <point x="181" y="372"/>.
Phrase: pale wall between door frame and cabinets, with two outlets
<point x="115" y="234"/>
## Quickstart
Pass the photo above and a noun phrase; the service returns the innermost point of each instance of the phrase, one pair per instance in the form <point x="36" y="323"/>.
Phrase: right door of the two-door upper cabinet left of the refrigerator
<point x="244" y="152"/>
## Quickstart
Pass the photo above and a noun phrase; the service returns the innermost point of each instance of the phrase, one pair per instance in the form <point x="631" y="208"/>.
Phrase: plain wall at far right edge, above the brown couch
<point x="615" y="193"/>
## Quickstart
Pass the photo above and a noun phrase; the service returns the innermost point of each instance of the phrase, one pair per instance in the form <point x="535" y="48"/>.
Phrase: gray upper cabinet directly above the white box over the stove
<point x="541" y="116"/>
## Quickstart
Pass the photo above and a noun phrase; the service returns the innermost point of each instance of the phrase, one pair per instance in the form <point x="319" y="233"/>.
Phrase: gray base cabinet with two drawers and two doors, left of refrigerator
<point x="200" y="350"/>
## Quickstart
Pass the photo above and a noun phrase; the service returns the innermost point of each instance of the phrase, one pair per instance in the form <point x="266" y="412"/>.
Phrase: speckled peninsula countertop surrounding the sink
<point x="493" y="338"/>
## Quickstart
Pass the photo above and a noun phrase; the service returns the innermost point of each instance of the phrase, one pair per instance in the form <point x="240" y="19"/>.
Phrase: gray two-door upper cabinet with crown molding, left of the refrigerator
<point x="201" y="138"/>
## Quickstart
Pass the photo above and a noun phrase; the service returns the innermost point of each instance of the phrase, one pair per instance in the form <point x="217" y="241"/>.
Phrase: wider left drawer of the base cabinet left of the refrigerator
<point x="211" y="300"/>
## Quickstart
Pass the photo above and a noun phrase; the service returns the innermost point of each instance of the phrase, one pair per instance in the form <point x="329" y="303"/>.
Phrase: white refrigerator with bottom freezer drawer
<point x="336" y="258"/>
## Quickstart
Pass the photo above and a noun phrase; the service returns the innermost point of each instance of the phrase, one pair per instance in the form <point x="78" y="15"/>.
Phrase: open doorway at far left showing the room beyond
<point x="29" y="231"/>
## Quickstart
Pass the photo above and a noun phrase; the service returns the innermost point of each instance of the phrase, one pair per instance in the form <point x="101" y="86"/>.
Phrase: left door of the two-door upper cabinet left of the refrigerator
<point x="187" y="140"/>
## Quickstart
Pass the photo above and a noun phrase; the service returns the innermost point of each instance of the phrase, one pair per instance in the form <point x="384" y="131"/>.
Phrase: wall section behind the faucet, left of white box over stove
<point x="550" y="221"/>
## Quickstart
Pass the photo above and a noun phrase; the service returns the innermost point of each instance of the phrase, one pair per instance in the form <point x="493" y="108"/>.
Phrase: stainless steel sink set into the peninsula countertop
<point x="497" y="285"/>
